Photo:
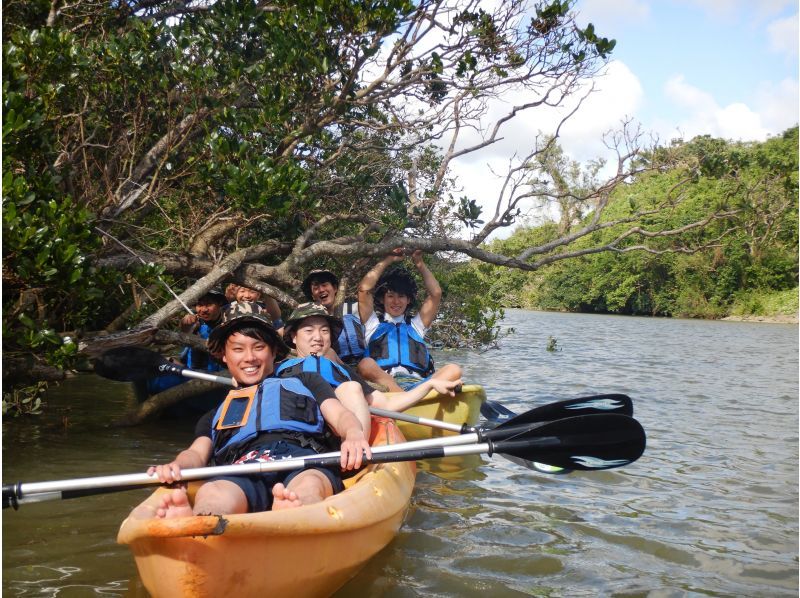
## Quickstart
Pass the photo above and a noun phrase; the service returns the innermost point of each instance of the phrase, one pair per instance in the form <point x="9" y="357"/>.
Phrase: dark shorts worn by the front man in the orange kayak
<point x="258" y="487"/>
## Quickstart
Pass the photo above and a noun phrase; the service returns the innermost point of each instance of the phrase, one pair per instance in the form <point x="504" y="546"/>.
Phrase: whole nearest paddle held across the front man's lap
<point x="589" y="442"/>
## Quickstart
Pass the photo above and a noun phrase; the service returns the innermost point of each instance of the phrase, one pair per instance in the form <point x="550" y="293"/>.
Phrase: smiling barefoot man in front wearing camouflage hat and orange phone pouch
<point x="273" y="418"/>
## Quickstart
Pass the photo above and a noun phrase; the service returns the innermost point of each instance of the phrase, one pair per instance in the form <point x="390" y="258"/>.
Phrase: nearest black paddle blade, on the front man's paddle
<point x="586" y="442"/>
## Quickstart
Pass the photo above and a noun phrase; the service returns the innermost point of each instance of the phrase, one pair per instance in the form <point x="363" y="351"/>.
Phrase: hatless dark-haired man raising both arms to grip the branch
<point x="395" y="339"/>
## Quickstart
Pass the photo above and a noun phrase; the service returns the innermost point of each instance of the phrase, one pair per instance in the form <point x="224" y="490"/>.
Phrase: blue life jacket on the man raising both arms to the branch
<point x="400" y="344"/>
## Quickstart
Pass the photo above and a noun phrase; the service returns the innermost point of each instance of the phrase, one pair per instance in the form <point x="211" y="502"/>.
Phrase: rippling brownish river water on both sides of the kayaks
<point x="711" y="509"/>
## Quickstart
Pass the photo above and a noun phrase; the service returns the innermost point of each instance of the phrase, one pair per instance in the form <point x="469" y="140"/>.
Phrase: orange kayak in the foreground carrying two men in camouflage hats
<point x="309" y="551"/>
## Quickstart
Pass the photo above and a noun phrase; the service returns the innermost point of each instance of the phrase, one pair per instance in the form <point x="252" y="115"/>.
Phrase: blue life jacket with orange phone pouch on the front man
<point x="280" y="405"/>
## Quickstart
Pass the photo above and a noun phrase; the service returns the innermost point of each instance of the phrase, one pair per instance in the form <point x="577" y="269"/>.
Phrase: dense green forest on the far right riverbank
<point x="745" y="265"/>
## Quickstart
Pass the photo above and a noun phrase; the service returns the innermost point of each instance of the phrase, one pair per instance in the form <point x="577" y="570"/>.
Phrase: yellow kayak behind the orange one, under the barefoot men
<point x="465" y="407"/>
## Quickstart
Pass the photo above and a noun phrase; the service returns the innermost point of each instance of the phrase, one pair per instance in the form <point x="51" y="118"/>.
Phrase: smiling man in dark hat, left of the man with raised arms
<point x="321" y="287"/>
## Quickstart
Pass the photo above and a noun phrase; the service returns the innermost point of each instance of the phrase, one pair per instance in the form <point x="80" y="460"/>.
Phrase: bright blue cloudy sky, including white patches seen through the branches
<point x="725" y="68"/>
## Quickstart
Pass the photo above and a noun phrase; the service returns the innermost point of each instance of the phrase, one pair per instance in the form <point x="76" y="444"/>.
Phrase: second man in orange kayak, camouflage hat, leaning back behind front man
<point x="311" y="331"/>
